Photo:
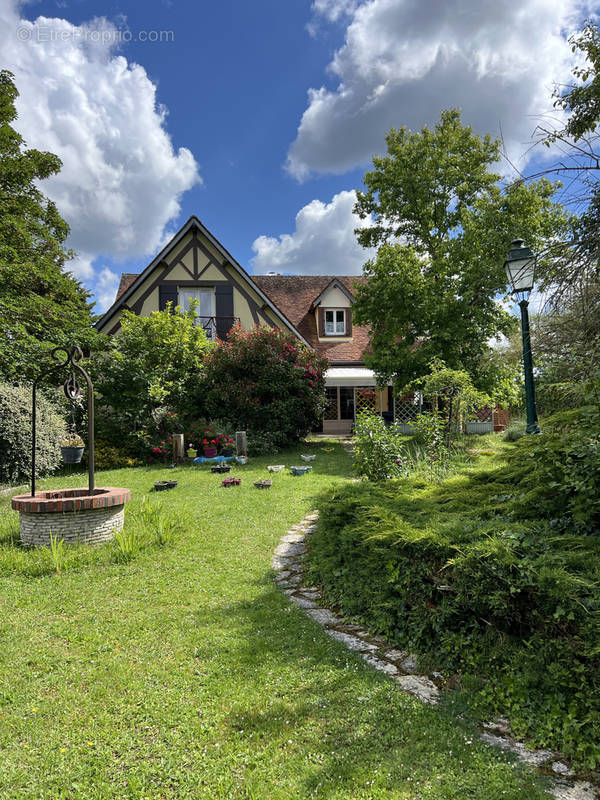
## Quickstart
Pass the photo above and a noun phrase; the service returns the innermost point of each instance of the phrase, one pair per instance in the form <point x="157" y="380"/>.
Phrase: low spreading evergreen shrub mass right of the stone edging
<point x="473" y="574"/>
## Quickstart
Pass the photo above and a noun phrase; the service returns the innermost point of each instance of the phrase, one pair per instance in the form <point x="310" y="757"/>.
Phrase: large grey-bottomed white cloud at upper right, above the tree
<point x="403" y="61"/>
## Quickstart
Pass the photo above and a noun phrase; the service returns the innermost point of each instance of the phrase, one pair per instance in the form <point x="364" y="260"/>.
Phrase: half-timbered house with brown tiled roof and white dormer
<point x="194" y="266"/>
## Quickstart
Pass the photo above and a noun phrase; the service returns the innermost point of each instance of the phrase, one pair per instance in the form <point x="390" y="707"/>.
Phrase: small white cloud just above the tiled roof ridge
<point x="323" y="243"/>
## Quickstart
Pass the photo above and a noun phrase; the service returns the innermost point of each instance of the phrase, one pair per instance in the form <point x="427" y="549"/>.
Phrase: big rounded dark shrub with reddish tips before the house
<point x="265" y="381"/>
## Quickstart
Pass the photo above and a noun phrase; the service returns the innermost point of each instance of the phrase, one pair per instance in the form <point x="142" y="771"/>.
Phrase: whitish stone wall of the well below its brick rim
<point x="88" y="527"/>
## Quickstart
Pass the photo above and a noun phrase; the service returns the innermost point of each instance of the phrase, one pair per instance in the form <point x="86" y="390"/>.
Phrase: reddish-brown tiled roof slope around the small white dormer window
<point x="294" y="295"/>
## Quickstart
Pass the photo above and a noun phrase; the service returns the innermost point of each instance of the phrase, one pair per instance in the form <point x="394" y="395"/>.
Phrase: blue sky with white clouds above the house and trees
<point x="261" y="118"/>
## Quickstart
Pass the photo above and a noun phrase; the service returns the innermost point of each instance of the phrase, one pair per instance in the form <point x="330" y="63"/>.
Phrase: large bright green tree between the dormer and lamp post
<point x="442" y="225"/>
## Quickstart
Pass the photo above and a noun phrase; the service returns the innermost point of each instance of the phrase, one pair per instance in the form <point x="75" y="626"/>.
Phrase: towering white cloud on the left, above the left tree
<point x="121" y="180"/>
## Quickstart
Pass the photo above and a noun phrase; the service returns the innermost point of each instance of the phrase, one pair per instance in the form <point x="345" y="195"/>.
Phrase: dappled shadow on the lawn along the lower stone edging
<point x="342" y="728"/>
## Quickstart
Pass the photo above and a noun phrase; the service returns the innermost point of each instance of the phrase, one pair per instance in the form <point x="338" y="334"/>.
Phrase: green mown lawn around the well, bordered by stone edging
<point x="182" y="672"/>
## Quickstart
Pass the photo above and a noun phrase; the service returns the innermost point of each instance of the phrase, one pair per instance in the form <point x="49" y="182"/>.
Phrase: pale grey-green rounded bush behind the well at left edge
<point x="15" y="434"/>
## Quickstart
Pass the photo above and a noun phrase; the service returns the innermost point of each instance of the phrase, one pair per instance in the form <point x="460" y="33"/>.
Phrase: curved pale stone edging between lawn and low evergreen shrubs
<point x="401" y="666"/>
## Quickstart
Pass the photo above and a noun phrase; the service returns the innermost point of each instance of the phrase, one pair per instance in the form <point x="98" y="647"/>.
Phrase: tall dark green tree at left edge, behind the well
<point x="41" y="305"/>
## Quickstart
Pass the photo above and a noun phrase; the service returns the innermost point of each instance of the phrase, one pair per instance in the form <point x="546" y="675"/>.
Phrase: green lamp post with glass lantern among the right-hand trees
<point x="520" y="271"/>
